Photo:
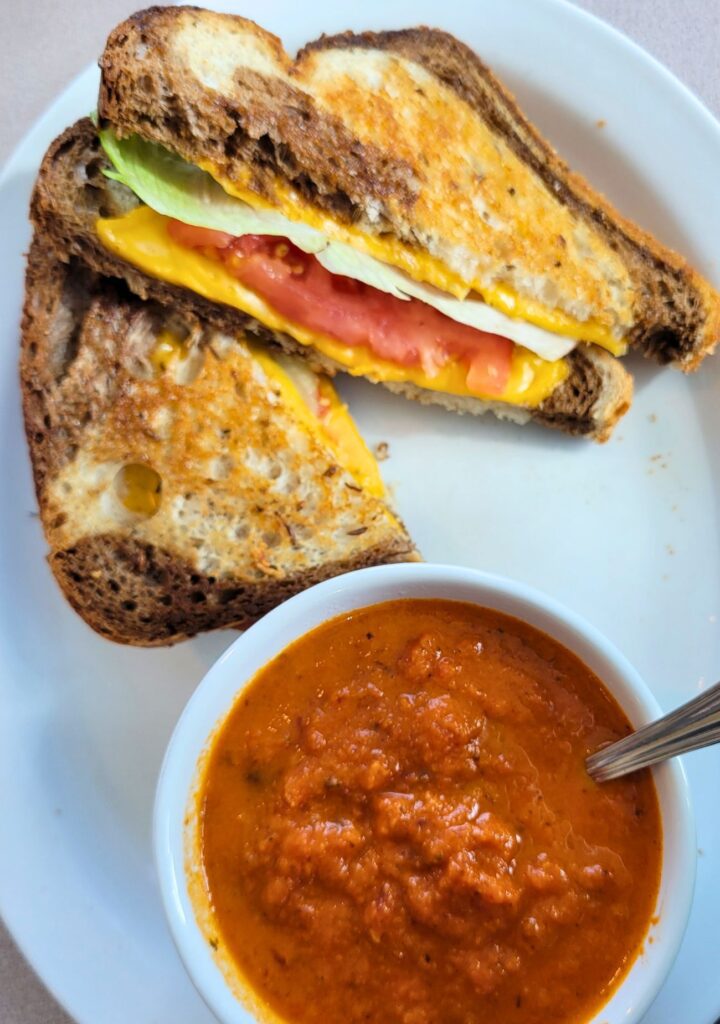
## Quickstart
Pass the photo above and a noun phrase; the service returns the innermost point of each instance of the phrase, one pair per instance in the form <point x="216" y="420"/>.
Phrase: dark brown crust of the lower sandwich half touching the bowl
<point x="130" y="591"/>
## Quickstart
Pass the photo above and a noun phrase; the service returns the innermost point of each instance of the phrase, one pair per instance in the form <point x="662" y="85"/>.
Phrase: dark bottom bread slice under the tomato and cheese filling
<point x="72" y="193"/>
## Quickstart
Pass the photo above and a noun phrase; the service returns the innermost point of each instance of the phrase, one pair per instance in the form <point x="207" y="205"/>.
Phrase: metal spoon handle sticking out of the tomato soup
<point x="694" y="726"/>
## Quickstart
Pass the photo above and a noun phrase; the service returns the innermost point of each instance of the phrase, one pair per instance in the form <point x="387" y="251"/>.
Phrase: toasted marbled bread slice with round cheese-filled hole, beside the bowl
<point x="253" y="506"/>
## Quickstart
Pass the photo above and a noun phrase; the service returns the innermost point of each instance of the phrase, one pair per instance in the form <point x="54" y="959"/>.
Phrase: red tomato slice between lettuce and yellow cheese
<point x="409" y="333"/>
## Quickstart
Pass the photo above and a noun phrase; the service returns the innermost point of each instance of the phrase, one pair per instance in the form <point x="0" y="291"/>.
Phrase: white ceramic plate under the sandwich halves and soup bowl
<point x="627" y="535"/>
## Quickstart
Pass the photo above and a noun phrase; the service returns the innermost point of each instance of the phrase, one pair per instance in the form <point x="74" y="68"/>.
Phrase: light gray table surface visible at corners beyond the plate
<point x="46" y="42"/>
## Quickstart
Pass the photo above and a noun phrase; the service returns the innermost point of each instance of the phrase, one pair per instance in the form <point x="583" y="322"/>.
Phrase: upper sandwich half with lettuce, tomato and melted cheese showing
<point x="379" y="205"/>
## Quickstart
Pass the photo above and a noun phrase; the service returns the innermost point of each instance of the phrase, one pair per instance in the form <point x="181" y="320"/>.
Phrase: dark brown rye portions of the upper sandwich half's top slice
<point x="276" y="127"/>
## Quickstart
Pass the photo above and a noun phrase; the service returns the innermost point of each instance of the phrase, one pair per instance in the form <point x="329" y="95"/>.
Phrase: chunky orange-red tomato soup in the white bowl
<point x="397" y="827"/>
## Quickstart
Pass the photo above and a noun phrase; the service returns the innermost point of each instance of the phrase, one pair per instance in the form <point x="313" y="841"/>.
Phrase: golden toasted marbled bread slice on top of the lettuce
<point x="405" y="134"/>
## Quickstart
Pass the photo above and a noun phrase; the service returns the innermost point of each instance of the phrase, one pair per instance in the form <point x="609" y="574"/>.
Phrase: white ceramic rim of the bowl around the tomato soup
<point x="220" y="688"/>
